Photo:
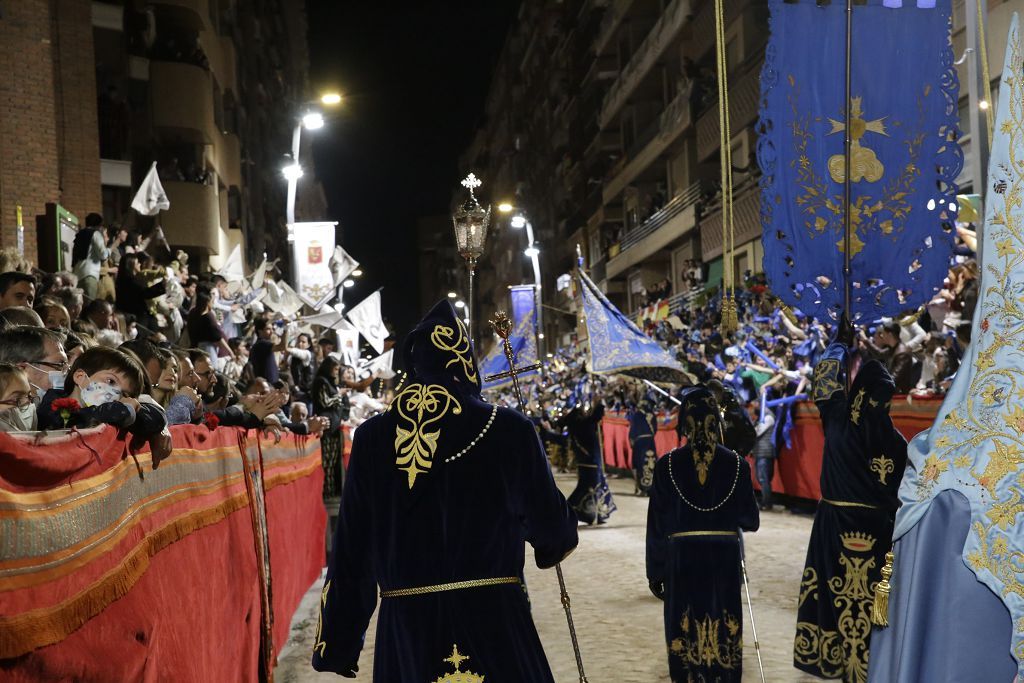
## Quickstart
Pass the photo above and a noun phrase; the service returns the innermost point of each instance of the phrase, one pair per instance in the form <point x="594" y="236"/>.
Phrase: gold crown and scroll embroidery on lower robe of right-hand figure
<point x="841" y="654"/>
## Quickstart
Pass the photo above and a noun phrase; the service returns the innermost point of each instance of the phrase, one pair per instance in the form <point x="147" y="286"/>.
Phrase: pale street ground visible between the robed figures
<point x="618" y="620"/>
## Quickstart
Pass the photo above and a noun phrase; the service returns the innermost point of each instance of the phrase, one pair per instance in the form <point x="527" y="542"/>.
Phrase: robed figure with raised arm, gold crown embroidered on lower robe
<point x="862" y="469"/>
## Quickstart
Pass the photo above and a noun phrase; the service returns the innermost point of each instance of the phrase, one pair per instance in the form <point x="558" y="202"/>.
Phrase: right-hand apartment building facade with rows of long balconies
<point x="603" y="123"/>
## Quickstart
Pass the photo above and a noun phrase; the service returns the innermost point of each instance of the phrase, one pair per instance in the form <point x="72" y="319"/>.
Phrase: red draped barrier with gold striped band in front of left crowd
<point x="109" y="576"/>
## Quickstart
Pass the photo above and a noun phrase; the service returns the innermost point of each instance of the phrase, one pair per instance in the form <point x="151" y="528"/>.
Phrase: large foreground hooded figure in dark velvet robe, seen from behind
<point x="444" y="492"/>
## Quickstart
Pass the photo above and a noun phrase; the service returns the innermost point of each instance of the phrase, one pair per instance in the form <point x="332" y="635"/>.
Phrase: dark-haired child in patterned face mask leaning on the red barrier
<point x="107" y="385"/>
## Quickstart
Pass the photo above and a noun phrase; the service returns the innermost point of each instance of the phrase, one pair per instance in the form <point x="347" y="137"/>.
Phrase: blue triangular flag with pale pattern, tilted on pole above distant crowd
<point x="619" y="348"/>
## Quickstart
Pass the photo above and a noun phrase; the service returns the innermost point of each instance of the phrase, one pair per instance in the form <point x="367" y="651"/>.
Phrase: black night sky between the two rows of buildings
<point x="415" y="76"/>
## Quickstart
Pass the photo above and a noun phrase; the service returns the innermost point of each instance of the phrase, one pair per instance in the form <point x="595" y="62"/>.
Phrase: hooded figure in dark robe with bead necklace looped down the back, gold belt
<point x="702" y="497"/>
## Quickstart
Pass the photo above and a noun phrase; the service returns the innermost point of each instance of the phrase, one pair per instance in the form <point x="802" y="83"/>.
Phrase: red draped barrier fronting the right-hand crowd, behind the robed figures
<point x="798" y="469"/>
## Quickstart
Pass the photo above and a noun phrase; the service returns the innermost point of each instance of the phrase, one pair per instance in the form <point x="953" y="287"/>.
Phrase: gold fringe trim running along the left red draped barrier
<point x="23" y="633"/>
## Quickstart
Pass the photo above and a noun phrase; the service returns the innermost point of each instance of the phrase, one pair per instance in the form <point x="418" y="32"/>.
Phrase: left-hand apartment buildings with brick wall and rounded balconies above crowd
<point x="207" y="90"/>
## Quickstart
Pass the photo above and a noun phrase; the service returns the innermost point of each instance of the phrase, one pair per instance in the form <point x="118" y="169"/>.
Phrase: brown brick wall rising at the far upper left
<point x="42" y="64"/>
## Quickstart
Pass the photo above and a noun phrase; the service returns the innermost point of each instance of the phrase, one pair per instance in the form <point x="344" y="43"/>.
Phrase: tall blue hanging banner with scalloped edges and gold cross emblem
<point x="905" y="155"/>
